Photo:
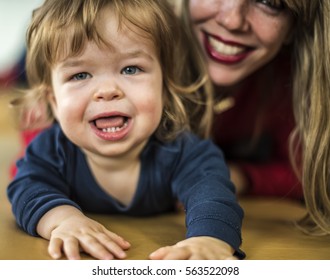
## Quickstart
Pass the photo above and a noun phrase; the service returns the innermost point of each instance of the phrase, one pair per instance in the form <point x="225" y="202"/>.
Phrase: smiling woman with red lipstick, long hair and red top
<point x="271" y="60"/>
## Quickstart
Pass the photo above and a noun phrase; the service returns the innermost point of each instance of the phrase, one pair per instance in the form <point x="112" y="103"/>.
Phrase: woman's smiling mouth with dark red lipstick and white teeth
<point x="223" y="51"/>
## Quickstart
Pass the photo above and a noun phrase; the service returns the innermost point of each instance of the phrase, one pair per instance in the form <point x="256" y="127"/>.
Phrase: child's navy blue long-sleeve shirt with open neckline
<point x="55" y="172"/>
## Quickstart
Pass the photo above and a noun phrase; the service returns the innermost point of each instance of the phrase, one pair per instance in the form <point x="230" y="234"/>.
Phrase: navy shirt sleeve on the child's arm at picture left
<point x="38" y="185"/>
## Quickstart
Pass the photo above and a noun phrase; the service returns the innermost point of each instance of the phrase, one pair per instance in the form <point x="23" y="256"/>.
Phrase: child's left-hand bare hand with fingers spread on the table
<point x="70" y="231"/>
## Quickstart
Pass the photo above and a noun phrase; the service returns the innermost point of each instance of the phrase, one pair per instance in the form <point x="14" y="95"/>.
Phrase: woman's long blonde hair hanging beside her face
<point x="310" y="140"/>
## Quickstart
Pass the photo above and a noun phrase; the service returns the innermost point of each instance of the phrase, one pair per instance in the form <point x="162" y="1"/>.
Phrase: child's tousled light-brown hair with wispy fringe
<point x="62" y="28"/>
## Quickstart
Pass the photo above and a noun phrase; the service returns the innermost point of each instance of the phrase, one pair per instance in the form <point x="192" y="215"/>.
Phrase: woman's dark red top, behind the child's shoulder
<point x="266" y="164"/>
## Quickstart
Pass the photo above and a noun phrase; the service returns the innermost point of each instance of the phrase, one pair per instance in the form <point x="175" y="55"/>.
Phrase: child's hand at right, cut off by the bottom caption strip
<point x="196" y="248"/>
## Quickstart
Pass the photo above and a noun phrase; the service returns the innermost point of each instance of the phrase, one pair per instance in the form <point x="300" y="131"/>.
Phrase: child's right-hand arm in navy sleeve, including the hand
<point x="213" y="215"/>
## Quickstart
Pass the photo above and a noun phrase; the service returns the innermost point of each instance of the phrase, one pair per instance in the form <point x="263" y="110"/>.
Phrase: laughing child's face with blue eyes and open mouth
<point x="108" y="100"/>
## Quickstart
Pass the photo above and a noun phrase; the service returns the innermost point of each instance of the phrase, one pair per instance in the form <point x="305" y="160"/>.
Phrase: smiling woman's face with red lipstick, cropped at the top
<point x="239" y="36"/>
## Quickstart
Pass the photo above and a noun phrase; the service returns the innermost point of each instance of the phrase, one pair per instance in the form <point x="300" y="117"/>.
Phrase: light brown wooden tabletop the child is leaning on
<point x="268" y="233"/>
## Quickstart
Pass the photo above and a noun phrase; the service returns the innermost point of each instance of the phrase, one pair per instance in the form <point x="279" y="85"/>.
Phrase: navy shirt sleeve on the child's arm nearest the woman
<point x="203" y="186"/>
